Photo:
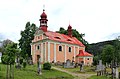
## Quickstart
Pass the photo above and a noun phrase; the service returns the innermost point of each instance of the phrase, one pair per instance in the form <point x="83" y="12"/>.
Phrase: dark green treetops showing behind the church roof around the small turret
<point x="75" y="33"/>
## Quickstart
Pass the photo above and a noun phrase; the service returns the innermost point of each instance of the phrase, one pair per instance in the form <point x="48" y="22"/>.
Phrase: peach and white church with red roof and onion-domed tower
<point x="55" y="47"/>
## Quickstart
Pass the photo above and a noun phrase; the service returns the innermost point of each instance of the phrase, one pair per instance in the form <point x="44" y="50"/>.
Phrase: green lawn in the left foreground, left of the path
<point x="30" y="73"/>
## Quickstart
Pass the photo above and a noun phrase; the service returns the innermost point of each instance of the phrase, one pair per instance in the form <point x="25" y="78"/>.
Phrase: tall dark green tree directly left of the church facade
<point x="26" y="38"/>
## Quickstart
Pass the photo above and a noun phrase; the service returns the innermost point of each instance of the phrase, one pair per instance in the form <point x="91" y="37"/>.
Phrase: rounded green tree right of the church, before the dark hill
<point x="108" y="54"/>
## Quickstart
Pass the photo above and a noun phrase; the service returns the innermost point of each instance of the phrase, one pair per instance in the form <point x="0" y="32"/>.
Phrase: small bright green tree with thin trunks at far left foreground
<point x="9" y="59"/>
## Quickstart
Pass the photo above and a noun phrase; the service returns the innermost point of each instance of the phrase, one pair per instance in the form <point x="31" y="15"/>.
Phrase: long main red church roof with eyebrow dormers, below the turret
<point x="62" y="38"/>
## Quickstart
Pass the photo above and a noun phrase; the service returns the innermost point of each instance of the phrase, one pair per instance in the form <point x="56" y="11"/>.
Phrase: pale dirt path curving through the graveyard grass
<point x="76" y="75"/>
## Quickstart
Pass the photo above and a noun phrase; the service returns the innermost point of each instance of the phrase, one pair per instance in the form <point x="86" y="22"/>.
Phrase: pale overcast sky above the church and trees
<point x="98" y="19"/>
